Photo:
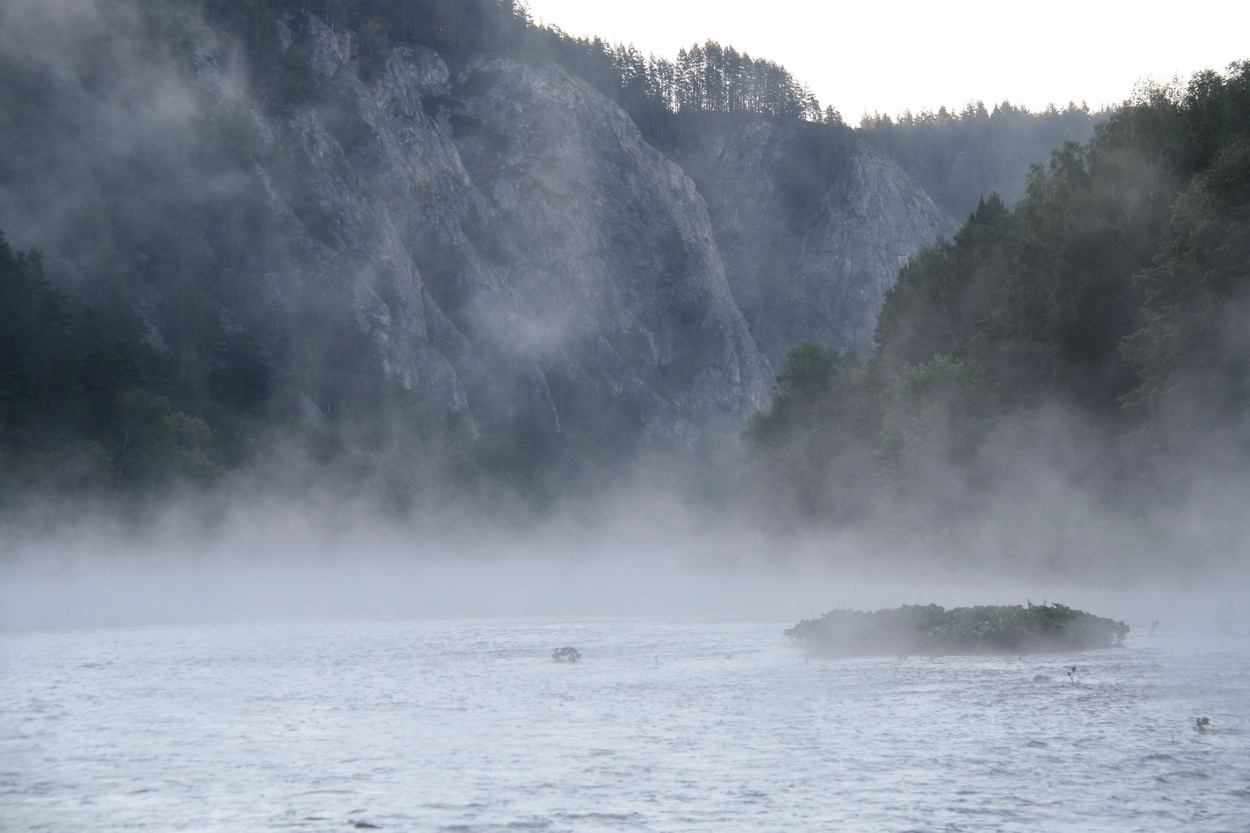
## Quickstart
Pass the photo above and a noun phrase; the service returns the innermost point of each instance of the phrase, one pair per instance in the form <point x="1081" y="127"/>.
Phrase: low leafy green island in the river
<point x="932" y="630"/>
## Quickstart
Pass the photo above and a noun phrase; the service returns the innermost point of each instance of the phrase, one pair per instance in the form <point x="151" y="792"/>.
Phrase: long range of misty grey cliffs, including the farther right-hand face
<point x="501" y="238"/>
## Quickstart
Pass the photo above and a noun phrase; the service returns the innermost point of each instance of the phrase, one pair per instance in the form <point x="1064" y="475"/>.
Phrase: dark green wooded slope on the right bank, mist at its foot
<point x="1081" y="357"/>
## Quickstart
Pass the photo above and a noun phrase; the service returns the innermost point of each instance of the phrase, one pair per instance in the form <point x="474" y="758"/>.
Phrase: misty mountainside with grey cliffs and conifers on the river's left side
<point x="424" y="252"/>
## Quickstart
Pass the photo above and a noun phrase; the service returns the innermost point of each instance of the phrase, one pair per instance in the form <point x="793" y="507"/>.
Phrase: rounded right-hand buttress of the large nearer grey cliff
<point x="606" y="272"/>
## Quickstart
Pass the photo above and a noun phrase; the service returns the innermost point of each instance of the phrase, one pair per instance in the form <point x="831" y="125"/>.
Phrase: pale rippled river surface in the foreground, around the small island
<point x="469" y="726"/>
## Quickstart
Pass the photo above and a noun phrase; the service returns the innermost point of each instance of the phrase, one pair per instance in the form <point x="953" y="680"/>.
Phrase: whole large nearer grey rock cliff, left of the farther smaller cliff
<point x="513" y="246"/>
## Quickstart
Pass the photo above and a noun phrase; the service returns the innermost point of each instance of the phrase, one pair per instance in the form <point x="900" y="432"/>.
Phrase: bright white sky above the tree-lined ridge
<point x="889" y="56"/>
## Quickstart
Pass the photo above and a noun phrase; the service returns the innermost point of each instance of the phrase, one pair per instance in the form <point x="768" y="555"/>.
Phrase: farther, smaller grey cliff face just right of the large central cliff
<point x="813" y="235"/>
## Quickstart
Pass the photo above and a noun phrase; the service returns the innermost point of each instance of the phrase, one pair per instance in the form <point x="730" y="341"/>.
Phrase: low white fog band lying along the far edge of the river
<point x="294" y="566"/>
